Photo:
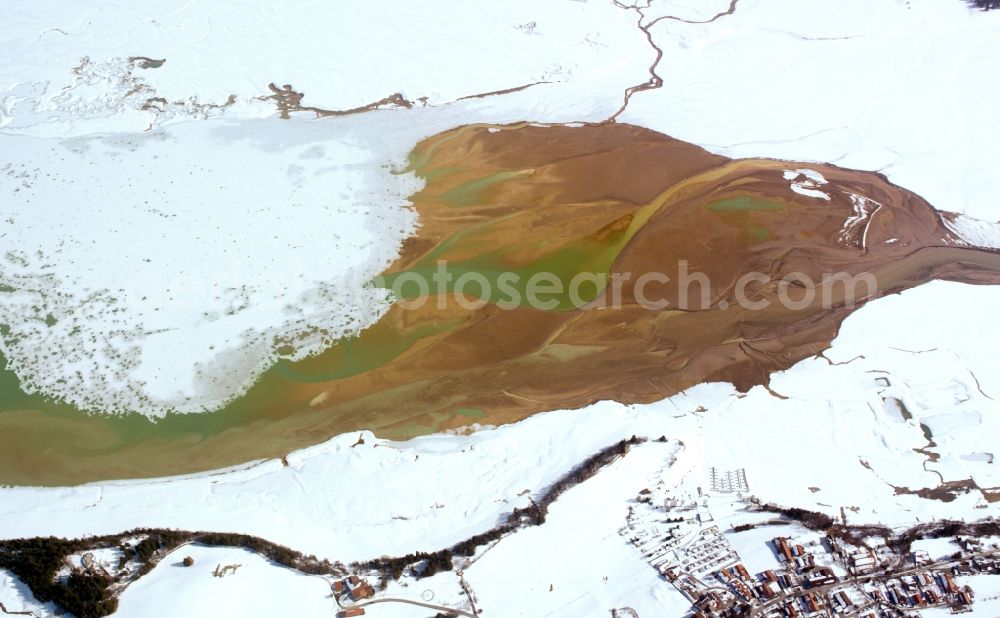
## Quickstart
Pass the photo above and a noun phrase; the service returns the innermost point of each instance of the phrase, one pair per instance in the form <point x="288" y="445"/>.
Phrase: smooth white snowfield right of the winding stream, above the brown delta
<point x="891" y="85"/>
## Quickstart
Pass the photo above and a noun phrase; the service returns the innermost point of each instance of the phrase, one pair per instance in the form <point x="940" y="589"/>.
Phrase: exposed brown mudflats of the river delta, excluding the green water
<point x="580" y="183"/>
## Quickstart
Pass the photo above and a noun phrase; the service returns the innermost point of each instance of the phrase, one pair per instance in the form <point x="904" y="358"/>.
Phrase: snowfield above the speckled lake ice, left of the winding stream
<point x="341" y="56"/>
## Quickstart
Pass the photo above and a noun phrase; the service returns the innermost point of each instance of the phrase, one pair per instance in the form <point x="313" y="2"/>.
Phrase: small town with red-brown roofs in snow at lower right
<point x="692" y="542"/>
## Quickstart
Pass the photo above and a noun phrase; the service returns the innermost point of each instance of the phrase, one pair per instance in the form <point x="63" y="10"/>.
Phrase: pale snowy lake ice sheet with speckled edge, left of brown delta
<point x="132" y="282"/>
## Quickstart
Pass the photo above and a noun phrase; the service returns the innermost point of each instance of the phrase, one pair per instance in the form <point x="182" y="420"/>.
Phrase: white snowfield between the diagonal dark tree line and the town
<point x="577" y="564"/>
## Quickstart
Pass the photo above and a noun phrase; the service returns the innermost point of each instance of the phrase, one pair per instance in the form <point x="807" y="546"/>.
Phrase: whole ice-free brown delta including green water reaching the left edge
<point x="602" y="198"/>
